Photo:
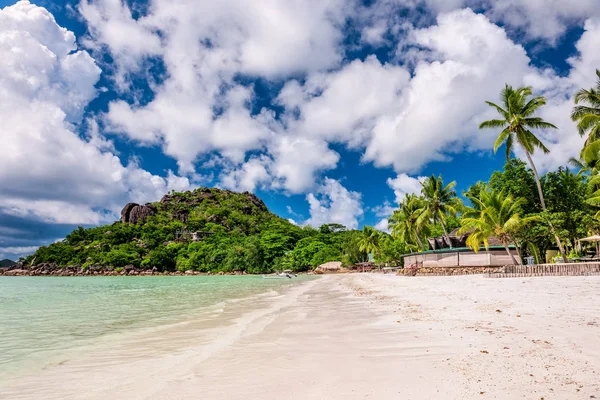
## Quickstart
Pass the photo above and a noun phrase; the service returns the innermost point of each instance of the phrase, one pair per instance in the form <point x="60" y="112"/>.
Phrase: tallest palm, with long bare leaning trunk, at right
<point x="517" y="121"/>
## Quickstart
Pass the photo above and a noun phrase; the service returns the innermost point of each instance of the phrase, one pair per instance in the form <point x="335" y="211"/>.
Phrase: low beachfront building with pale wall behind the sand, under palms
<point x="453" y="252"/>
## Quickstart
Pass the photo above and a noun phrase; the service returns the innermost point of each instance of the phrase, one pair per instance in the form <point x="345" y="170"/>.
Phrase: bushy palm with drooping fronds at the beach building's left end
<point x="407" y="222"/>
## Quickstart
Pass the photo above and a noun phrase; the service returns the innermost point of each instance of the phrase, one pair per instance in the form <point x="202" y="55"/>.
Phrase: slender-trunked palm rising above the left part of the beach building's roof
<point x="439" y="201"/>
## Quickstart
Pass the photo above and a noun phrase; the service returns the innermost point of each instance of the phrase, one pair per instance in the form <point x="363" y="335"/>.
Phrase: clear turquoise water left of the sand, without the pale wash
<point x="41" y="317"/>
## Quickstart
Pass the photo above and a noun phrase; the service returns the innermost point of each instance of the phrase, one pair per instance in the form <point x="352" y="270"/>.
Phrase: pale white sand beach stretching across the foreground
<point x="358" y="336"/>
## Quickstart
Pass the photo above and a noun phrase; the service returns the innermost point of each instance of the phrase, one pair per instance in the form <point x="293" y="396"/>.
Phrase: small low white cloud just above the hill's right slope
<point x="333" y="203"/>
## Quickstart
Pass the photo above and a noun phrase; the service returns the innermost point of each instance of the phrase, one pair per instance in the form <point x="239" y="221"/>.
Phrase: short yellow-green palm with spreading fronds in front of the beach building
<point x="493" y="214"/>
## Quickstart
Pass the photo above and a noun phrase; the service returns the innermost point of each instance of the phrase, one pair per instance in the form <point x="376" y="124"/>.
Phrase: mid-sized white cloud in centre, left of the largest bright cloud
<point x="348" y="100"/>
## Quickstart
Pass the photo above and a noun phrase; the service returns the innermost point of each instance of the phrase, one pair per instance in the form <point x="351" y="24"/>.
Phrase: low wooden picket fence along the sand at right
<point x="572" y="269"/>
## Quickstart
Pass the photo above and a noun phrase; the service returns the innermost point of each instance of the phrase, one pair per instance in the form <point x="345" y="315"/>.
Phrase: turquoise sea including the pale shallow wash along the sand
<point x="46" y="321"/>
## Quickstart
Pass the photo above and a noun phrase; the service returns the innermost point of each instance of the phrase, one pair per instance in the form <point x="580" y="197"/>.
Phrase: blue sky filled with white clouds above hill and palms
<point x="329" y="110"/>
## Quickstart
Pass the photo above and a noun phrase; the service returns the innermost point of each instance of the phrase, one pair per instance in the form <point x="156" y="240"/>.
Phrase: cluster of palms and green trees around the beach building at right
<point x="517" y="206"/>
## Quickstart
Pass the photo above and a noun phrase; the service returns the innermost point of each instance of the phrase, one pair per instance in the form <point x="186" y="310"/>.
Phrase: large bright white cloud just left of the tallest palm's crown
<point x="440" y="110"/>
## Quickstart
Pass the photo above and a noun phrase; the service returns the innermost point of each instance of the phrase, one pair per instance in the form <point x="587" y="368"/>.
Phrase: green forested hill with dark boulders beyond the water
<point x="205" y="230"/>
